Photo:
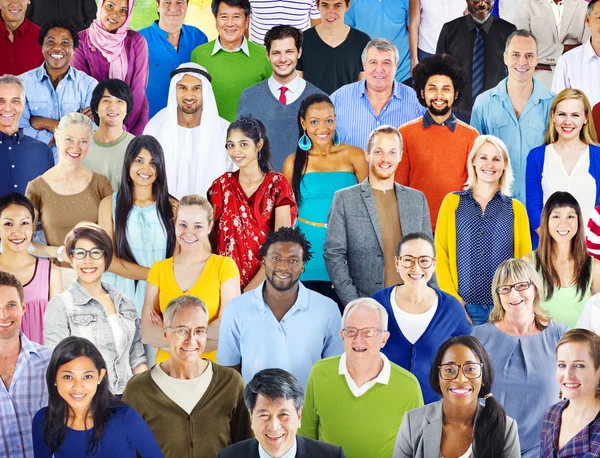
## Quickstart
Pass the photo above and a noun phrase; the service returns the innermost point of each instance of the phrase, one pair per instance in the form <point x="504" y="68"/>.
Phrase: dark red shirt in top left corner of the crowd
<point x="22" y="54"/>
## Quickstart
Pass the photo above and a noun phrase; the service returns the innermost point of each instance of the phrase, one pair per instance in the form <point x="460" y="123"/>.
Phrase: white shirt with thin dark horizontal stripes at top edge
<point x="266" y="14"/>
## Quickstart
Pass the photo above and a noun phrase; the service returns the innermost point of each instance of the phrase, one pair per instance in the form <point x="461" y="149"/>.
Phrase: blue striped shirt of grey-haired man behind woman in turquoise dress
<point x="355" y="118"/>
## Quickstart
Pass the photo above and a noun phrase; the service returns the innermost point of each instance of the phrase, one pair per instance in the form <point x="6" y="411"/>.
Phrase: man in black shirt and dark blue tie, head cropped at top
<point x="477" y="41"/>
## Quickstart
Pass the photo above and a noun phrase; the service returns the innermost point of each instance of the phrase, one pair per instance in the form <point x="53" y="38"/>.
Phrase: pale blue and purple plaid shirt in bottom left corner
<point x="26" y="395"/>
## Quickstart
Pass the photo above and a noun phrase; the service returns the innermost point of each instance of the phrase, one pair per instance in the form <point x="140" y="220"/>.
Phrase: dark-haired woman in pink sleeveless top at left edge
<point x="40" y="279"/>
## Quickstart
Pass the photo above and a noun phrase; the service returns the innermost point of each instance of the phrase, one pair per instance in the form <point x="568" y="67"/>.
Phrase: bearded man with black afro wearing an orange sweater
<point x="436" y="145"/>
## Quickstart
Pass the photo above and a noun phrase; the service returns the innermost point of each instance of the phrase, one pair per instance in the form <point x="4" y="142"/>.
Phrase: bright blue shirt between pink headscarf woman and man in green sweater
<point x="163" y="58"/>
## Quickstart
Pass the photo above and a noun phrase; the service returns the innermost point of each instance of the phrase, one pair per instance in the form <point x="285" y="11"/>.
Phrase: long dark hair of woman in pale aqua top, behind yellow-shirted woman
<point x="159" y="191"/>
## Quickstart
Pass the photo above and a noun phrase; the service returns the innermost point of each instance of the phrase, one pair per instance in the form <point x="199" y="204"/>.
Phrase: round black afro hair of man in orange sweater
<point x="438" y="64"/>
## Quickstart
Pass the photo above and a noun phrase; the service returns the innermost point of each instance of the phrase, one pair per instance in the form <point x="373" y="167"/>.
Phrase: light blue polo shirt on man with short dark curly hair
<point x="250" y="334"/>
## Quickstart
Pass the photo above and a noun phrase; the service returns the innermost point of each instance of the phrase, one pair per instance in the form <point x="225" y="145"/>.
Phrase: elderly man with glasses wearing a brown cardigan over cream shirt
<point x="194" y="407"/>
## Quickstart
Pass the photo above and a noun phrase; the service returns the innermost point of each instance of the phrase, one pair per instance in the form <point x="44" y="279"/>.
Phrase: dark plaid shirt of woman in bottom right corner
<point x="585" y="444"/>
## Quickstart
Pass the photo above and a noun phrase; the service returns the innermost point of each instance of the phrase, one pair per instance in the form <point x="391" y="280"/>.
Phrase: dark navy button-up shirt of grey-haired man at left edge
<point x="22" y="159"/>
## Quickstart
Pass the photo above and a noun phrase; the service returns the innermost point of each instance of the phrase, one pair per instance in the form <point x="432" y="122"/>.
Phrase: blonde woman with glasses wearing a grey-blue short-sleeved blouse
<point x="520" y="339"/>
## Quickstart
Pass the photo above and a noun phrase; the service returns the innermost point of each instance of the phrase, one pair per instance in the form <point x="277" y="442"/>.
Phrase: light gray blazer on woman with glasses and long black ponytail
<point x="420" y="434"/>
